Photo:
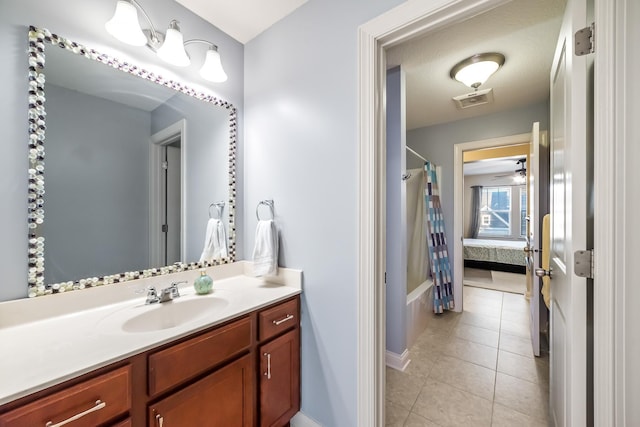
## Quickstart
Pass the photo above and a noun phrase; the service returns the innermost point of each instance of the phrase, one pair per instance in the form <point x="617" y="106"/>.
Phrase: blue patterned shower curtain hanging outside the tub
<point x="437" y="242"/>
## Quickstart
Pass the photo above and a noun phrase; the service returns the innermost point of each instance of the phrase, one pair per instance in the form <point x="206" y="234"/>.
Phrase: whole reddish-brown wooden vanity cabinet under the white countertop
<point x="245" y="372"/>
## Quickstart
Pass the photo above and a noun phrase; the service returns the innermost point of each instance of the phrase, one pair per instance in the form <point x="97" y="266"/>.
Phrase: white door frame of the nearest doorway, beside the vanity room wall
<point x="418" y="17"/>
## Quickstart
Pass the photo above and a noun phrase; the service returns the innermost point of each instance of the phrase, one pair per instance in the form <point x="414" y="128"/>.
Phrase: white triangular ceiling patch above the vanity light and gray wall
<point x="242" y="19"/>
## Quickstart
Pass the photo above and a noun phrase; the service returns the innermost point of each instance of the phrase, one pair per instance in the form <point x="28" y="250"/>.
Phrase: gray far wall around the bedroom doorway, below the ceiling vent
<point x="436" y="143"/>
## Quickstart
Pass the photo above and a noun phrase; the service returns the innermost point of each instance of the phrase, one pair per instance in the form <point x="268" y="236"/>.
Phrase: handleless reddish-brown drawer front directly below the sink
<point x="183" y="361"/>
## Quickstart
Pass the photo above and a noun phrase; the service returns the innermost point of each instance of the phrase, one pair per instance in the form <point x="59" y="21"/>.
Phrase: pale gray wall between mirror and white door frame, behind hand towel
<point x="301" y="150"/>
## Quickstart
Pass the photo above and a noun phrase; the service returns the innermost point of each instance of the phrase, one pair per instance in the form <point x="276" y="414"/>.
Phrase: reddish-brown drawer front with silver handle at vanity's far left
<point x="97" y="401"/>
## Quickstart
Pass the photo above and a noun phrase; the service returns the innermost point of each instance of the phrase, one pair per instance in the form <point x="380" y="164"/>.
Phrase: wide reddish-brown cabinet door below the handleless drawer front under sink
<point x="224" y="398"/>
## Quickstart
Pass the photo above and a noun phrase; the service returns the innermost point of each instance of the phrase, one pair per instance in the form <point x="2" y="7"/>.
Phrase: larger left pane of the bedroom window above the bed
<point x="495" y="211"/>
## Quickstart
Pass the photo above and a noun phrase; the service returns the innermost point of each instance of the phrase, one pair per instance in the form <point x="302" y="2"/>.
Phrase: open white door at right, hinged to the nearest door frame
<point x="568" y="367"/>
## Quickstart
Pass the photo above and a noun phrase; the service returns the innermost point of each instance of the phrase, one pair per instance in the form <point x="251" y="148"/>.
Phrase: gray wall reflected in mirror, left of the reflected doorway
<point x="97" y="211"/>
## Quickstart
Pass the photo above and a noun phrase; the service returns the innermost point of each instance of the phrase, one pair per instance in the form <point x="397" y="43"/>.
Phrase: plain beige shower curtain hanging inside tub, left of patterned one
<point x="417" y="260"/>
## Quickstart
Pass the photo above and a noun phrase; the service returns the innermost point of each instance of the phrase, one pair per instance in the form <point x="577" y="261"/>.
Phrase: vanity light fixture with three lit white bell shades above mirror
<point x="169" y="47"/>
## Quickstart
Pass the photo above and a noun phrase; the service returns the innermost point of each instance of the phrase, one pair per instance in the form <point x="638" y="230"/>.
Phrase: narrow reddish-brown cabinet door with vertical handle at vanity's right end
<point x="280" y="380"/>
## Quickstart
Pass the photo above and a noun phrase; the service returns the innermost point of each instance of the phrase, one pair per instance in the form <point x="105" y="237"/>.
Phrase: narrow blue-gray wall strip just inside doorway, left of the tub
<point x="396" y="214"/>
